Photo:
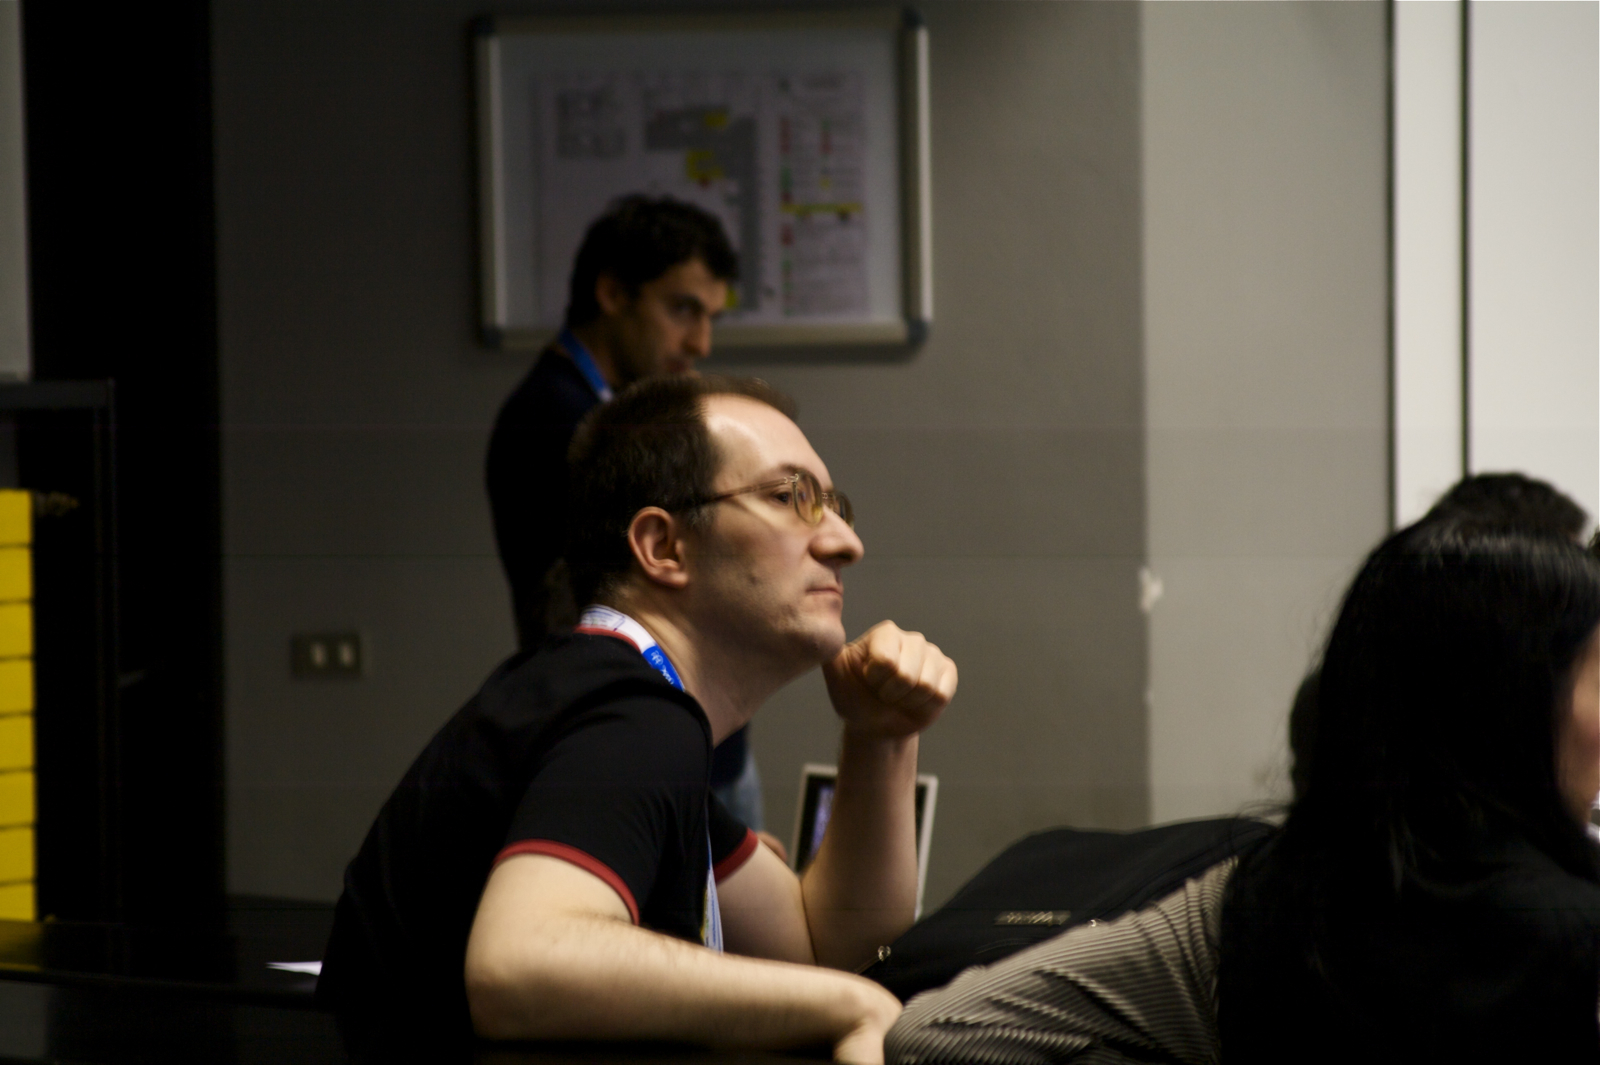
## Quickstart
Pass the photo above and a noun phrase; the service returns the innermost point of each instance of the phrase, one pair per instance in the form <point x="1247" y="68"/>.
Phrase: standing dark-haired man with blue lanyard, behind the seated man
<point x="650" y="279"/>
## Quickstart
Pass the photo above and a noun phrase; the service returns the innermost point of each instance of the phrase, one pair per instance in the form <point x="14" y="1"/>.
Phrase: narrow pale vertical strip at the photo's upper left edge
<point x="14" y="204"/>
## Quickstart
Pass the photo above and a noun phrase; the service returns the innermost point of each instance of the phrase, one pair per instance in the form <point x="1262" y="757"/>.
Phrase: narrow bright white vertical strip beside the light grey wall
<point x="1428" y="253"/>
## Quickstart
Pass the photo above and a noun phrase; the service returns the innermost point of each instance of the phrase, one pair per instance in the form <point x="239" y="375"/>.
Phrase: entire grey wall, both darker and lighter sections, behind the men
<point x="1196" y="201"/>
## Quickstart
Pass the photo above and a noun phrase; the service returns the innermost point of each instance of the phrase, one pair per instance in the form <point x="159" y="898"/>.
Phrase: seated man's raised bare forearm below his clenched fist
<point x="862" y="890"/>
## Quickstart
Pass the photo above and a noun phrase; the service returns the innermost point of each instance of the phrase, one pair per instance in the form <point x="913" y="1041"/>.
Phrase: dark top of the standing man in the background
<point x="529" y="492"/>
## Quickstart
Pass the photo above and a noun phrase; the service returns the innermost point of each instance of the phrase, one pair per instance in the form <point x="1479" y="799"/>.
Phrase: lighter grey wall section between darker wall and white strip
<point x="1266" y="297"/>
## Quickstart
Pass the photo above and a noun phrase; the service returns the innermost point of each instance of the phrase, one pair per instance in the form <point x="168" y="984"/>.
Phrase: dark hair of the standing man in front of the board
<point x="638" y="241"/>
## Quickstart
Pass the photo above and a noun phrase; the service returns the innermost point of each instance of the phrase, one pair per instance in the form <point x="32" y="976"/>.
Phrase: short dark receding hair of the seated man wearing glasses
<point x="646" y="449"/>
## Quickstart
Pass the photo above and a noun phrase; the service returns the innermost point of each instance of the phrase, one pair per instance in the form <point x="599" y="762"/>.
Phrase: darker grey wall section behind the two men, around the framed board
<point x="999" y="471"/>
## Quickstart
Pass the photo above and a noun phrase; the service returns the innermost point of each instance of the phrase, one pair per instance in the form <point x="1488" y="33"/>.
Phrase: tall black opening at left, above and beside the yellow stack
<point x="124" y="289"/>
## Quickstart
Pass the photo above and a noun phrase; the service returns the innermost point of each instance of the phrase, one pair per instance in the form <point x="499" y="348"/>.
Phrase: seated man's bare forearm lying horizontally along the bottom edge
<point x="591" y="978"/>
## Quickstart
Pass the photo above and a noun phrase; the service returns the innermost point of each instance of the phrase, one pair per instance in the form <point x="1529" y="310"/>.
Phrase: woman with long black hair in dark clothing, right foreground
<point x="1434" y="893"/>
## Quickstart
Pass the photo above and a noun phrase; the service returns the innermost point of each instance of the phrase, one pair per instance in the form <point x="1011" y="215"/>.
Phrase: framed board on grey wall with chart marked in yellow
<point x="804" y="134"/>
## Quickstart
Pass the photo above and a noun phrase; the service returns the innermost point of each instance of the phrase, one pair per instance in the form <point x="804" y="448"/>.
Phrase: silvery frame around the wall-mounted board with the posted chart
<point x="916" y="191"/>
